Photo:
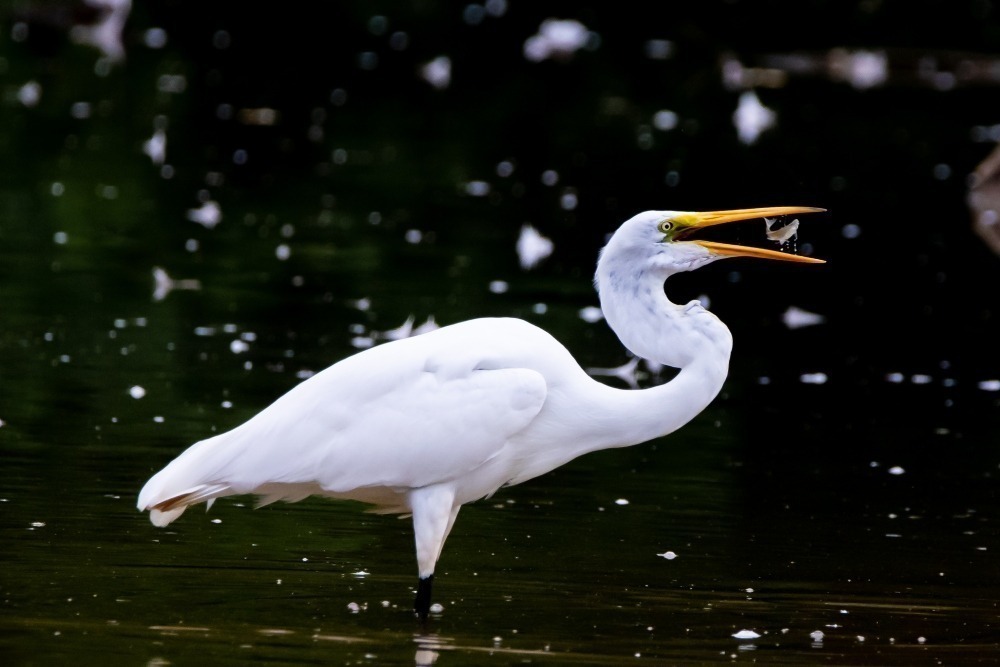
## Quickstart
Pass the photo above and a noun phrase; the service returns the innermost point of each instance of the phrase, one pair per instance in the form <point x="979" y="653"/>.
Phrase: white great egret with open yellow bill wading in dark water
<point x="423" y="425"/>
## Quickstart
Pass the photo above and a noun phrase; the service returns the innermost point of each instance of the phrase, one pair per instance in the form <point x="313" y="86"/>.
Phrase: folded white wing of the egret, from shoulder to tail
<point x="406" y="414"/>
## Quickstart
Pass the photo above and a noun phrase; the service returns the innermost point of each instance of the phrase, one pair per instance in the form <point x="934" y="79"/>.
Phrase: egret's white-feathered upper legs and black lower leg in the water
<point x="433" y="516"/>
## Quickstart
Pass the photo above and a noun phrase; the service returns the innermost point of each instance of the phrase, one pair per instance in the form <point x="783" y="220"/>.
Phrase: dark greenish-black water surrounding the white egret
<point x="844" y="483"/>
